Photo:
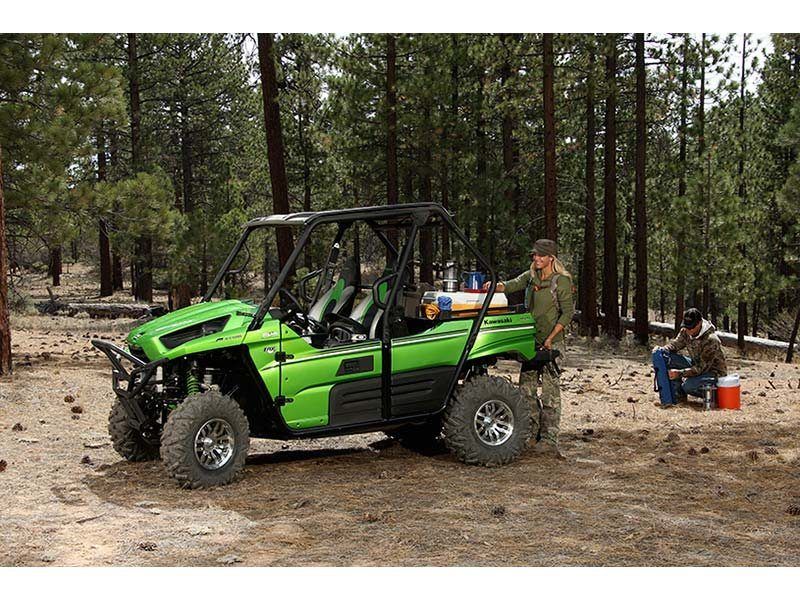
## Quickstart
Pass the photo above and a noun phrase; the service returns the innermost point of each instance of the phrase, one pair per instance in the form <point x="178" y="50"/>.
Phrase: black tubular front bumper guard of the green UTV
<point x="127" y="385"/>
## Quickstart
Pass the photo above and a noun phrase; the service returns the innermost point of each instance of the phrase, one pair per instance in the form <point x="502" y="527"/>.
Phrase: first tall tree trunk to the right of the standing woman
<point x="589" y="271"/>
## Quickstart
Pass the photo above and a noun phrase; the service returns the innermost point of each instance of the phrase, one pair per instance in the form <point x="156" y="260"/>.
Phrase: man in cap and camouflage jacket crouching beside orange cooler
<point x="690" y="374"/>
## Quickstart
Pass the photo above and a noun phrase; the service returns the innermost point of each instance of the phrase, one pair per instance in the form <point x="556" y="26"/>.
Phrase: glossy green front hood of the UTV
<point x="231" y="319"/>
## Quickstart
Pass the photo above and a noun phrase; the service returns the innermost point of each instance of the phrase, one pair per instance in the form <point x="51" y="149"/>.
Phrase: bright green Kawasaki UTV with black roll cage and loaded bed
<point x="354" y="346"/>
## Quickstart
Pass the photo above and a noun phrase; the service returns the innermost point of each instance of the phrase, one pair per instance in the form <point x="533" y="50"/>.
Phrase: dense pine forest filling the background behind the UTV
<point x="666" y="166"/>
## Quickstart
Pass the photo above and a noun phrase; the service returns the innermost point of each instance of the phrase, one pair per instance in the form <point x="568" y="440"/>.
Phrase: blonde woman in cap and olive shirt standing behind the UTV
<point x="548" y="295"/>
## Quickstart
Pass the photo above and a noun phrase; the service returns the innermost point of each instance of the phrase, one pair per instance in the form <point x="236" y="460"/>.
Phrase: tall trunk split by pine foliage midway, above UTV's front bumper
<point x="143" y="260"/>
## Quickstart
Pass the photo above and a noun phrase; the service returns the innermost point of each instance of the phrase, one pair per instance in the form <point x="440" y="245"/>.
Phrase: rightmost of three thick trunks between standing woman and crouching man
<point x="640" y="232"/>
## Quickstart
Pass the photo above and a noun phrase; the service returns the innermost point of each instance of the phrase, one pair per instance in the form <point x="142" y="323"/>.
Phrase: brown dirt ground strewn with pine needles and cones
<point x="641" y="486"/>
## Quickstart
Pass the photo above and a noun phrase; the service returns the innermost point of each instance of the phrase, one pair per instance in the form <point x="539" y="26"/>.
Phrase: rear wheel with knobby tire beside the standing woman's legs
<point x="489" y="396"/>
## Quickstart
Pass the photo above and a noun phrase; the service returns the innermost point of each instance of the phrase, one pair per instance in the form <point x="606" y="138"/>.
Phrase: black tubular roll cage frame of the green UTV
<point x="419" y="213"/>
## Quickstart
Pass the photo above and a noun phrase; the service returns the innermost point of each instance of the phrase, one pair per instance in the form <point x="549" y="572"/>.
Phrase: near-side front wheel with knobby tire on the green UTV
<point x="205" y="416"/>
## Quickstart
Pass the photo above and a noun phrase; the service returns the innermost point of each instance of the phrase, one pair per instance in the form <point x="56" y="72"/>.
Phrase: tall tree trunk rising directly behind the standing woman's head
<point x="550" y="204"/>
